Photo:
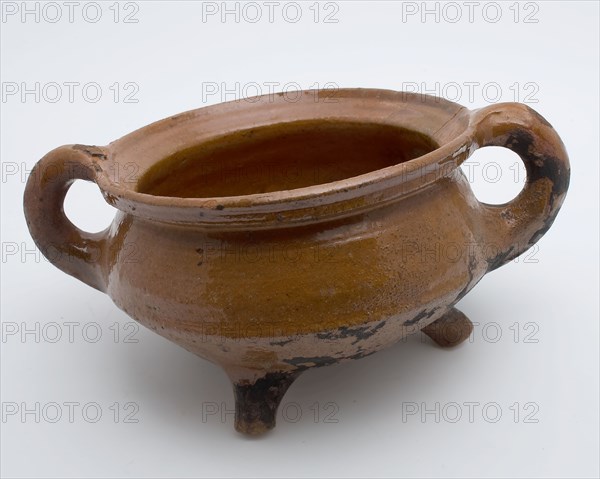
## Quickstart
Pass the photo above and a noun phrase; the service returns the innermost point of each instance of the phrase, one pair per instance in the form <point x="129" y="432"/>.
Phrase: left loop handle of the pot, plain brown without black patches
<point x="72" y="250"/>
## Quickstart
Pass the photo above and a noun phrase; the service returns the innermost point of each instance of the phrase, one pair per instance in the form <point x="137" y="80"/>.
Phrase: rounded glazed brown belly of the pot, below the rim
<point x="299" y="297"/>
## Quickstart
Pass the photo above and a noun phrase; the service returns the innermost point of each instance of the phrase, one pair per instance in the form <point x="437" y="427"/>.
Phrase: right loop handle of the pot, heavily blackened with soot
<point x="512" y="228"/>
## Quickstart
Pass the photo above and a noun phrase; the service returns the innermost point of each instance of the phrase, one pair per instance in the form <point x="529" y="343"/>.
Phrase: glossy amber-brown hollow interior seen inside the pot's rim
<point x="282" y="156"/>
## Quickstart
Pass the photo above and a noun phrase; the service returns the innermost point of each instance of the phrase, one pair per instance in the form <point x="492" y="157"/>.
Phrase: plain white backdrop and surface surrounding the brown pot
<point x="545" y="305"/>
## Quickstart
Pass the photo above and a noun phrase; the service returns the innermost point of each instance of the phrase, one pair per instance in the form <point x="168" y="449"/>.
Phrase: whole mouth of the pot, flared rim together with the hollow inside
<point x="267" y="163"/>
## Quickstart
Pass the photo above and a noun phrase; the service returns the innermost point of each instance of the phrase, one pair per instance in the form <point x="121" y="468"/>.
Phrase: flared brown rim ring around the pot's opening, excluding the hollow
<point x="449" y="124"/>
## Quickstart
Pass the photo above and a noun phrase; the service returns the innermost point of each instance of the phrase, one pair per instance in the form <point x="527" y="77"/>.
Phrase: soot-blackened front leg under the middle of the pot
<point x="256" y="403"/>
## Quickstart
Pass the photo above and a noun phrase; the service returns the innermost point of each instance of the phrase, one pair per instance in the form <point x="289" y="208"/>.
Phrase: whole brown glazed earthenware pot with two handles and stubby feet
<point x="278" y="233"/>
